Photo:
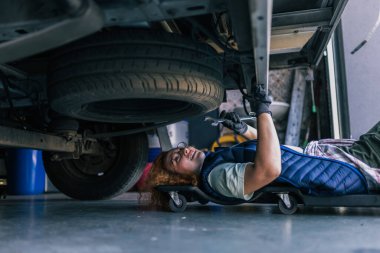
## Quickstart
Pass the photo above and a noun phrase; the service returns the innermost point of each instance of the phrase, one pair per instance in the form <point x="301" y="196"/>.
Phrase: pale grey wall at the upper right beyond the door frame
<point x="363" y="67"/>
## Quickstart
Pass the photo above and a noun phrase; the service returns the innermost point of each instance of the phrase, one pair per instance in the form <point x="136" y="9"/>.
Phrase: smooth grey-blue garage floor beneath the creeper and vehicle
<point x="54" y="223"/>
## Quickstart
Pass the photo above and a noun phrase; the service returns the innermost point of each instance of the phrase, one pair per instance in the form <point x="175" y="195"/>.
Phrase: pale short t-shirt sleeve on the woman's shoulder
<point x="228" y="180"/>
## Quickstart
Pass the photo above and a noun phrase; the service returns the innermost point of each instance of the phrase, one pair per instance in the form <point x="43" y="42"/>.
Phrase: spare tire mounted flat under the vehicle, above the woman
<point x="126" y="76"/>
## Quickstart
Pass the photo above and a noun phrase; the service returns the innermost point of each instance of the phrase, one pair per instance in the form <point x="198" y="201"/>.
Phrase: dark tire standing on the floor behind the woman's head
<point x="103" y="176"/>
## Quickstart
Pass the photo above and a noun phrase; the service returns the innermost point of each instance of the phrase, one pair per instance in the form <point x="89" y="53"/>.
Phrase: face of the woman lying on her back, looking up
<point x="184" y="161"/>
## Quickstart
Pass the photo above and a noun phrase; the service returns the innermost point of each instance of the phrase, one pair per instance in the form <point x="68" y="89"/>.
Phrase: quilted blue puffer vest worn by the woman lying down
<point x="313" y="175"/>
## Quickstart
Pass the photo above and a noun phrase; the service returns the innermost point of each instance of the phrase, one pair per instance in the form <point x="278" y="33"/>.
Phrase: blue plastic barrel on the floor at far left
<point x="25" y="172"/>
